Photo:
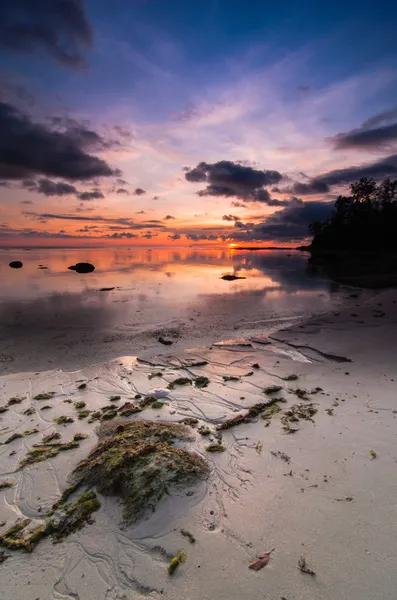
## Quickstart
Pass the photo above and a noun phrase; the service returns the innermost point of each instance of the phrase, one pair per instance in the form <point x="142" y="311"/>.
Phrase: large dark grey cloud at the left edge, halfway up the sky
<point x="28" y="149"/>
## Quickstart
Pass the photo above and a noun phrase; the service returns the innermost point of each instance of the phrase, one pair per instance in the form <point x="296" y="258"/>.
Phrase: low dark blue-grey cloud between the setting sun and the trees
<point x="289" y="224"/>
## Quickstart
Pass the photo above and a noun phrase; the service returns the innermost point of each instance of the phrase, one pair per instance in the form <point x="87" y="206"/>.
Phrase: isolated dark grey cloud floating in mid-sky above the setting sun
<point x="231" y="179"/>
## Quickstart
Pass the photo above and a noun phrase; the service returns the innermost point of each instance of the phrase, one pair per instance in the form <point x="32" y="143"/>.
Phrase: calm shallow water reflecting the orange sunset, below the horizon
<point x="56" y="317"/>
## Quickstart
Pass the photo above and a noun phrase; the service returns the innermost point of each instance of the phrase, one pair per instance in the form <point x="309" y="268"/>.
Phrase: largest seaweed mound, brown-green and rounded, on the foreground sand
<point x="136" y="461"/>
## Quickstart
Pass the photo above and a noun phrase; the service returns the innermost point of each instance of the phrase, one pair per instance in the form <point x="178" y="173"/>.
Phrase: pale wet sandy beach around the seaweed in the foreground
<point x="325" y="492"/>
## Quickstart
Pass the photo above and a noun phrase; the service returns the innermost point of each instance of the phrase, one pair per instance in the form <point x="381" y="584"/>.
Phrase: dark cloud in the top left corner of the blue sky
<point x="57" y="27"/>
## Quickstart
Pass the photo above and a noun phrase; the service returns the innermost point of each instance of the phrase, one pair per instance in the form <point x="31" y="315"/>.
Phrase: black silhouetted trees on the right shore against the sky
<point x="365" y="220"/>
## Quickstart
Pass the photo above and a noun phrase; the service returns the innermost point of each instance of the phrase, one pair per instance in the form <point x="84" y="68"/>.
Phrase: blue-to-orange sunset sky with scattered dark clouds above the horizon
<point x="154" y="122"/>
